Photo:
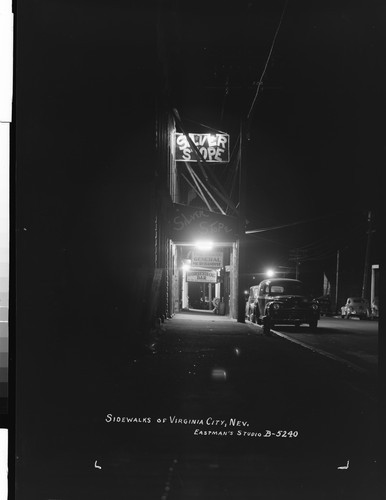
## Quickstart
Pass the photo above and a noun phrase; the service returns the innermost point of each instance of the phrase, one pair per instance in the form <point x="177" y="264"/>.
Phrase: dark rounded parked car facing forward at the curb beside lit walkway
<point x="281" y="301"/>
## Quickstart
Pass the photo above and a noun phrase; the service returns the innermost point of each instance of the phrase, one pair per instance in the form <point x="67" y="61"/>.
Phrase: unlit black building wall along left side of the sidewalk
<point x="83" y="206"/>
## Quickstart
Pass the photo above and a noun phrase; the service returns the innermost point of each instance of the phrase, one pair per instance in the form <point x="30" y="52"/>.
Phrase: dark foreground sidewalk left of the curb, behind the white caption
<point x="213" y="410"/>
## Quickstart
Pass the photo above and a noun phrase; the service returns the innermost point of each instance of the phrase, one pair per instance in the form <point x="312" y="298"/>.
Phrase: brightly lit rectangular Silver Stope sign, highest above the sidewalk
<point x="214" y="148"/>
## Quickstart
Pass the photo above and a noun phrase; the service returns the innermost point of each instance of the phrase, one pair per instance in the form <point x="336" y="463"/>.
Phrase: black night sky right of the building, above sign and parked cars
<point x="315" y="145"/>
